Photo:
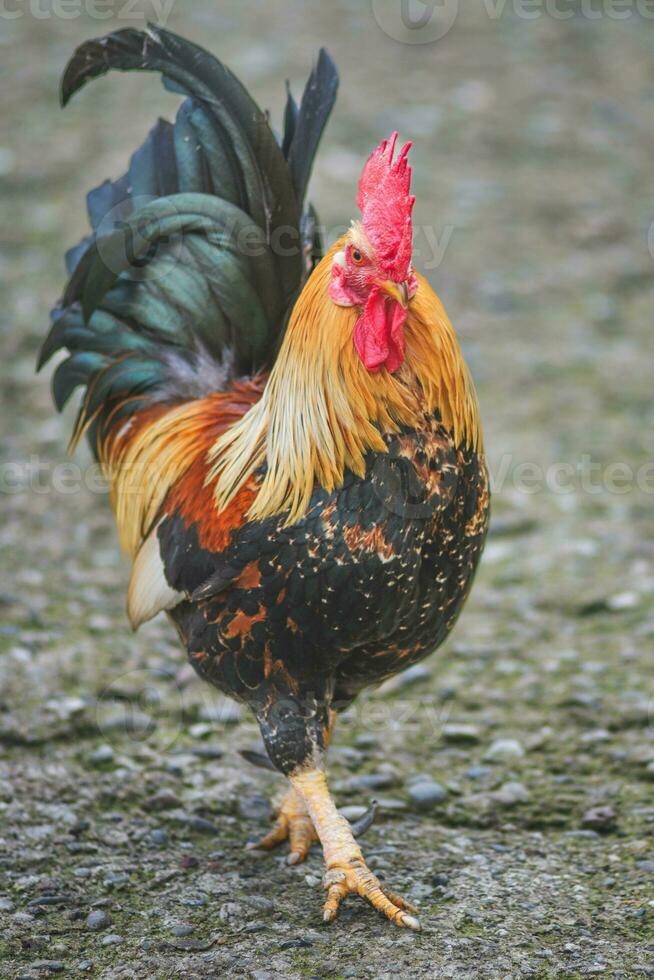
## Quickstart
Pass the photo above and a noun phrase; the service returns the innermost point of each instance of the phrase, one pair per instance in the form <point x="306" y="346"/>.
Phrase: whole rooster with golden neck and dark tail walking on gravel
<point x="292" y="439"/>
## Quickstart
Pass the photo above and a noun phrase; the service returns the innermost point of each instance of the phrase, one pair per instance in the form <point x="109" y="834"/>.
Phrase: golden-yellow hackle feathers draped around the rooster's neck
<point x="322" y="410"/>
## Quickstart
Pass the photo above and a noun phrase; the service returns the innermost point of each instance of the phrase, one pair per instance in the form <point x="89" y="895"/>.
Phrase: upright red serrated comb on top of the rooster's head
<point x="386" y="206"/>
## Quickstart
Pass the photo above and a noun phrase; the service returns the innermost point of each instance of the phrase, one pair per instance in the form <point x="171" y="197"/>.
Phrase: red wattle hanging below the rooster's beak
<point x="379" y="332"/>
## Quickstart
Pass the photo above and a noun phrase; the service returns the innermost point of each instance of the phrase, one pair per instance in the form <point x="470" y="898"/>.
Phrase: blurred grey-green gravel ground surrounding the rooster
<point x="515" y="769"/>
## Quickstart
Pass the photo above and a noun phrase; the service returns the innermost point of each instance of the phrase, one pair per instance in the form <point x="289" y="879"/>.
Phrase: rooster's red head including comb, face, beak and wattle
<point x="372" y="270"/>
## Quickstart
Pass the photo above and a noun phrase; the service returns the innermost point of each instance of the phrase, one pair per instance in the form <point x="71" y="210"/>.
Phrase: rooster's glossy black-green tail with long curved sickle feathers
<point x="181" y="281"/>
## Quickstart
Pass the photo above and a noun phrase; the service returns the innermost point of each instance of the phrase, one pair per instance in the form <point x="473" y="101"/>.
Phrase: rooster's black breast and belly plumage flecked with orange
<point x="296" y="620"/>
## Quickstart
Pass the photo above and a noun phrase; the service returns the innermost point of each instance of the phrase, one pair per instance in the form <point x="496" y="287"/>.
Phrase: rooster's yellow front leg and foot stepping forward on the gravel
<point x="347" y="872"/>
